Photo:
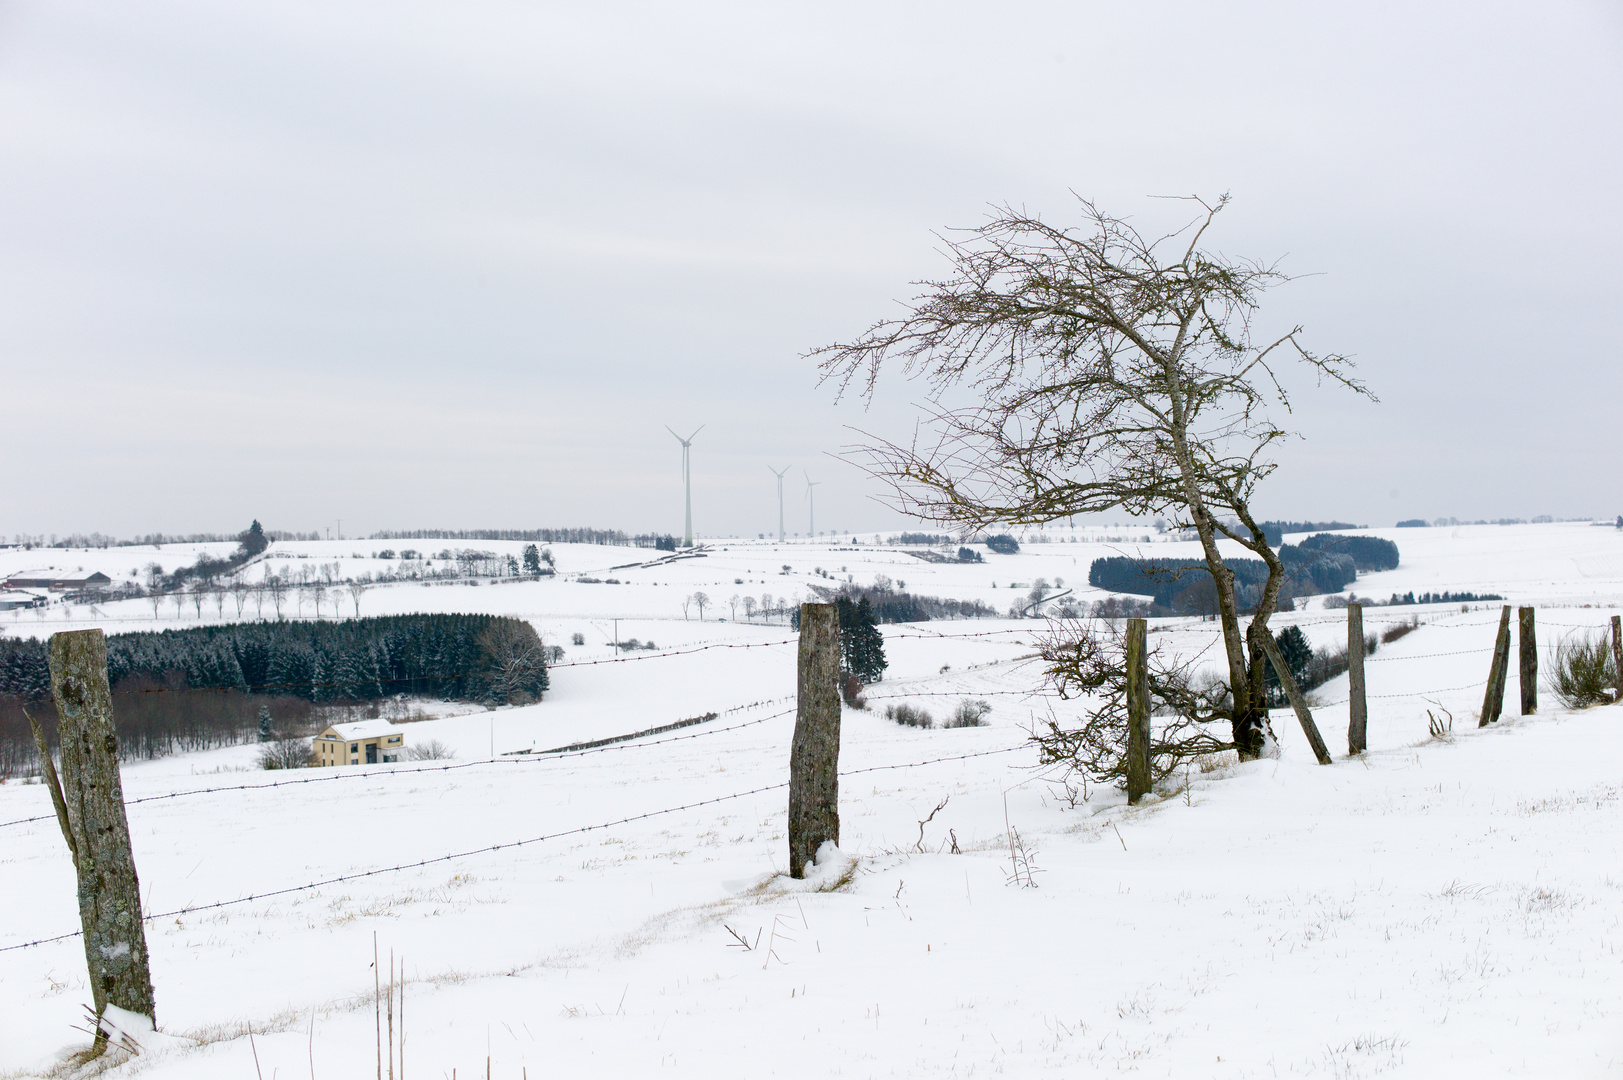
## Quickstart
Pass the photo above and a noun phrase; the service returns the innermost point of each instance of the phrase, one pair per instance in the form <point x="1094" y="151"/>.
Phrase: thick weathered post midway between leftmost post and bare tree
<point x="814" y="758"/>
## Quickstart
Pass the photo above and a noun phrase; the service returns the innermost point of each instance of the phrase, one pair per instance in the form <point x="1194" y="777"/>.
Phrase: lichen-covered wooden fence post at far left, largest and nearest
<point x="93" y="795"/>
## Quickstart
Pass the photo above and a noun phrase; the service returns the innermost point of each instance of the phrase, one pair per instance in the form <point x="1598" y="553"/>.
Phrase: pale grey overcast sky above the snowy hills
<point x="458" y="264"/>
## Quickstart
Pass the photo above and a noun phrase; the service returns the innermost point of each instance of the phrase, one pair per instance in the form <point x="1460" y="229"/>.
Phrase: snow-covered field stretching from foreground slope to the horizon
<point x="1432" y="909"/>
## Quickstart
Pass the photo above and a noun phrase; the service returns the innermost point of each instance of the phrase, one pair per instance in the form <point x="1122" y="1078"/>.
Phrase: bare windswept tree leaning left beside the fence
<point x="1082" y="369"/>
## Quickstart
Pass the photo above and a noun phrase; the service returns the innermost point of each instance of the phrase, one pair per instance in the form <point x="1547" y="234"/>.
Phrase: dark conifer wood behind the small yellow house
<point x="204" y="686"/>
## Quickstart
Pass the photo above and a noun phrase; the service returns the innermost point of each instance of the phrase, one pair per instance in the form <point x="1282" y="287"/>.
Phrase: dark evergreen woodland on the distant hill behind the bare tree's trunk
<point x="1320" y="564"/>
